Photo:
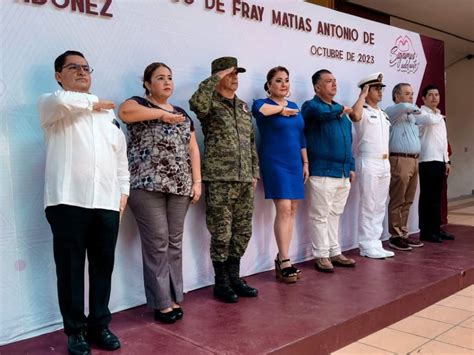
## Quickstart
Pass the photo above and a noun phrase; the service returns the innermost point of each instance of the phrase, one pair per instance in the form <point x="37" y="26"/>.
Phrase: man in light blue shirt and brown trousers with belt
<point x="404" y="149"/>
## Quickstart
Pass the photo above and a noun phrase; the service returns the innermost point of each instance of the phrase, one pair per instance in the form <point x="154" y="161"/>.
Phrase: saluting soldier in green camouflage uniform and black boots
<point x="230" y="172"/>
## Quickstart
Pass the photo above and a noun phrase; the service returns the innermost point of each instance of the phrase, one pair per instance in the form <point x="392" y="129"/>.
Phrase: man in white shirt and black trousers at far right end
<point x="434" y="165"/>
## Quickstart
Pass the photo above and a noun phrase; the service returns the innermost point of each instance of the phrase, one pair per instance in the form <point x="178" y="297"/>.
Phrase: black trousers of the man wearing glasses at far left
<point x="79" y="231"/>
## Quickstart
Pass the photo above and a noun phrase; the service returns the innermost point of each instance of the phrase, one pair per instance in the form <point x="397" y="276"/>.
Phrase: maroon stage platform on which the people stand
<point x="319" y="314"/>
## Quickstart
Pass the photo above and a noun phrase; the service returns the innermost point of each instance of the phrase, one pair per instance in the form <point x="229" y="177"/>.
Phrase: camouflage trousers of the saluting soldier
<point x="229" y="208"/>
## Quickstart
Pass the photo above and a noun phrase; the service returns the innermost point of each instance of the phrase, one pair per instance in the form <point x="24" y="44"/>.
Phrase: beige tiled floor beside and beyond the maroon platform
<point x="446" y="327"/>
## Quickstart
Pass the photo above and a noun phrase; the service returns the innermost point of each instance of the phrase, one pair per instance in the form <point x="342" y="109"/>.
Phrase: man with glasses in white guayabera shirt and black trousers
<point x="85" y="193"/>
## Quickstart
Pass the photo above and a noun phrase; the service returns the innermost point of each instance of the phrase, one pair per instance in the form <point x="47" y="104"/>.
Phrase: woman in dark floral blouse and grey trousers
<point x="165" y="171"/>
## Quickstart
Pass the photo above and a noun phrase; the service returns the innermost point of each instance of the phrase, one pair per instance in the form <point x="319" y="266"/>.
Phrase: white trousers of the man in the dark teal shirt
<point x="327" y="198"/>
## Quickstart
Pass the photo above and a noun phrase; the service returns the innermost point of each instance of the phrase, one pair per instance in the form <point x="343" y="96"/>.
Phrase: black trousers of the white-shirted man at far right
<point x="432" y="175"/>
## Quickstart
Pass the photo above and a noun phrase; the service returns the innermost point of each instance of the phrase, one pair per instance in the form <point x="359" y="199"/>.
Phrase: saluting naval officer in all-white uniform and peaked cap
<point x="372" y="127"/>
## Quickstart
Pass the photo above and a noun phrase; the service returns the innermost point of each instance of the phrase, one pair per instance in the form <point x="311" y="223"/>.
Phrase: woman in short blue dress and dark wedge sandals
<point x="283" y="162"/>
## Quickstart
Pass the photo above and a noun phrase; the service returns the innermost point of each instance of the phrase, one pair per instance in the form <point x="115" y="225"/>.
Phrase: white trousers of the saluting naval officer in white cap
<point x="373" y="176"/>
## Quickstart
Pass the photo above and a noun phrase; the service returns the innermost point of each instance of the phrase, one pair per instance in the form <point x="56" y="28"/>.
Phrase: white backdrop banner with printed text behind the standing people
<point x="119" y="39"/>
